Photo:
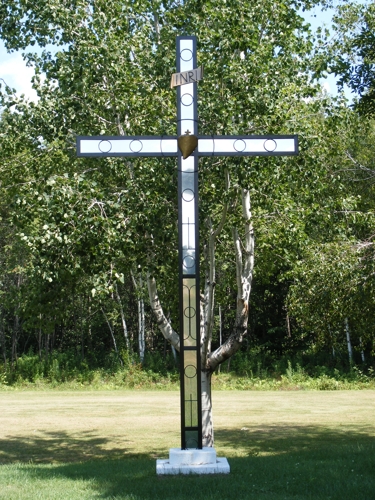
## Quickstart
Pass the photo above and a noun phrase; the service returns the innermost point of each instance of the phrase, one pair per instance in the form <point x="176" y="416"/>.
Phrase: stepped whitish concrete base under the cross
<point x="192" y="462"/>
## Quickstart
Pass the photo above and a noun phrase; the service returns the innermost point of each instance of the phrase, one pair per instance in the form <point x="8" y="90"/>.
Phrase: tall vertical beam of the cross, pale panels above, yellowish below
<point x="188" y="228"/>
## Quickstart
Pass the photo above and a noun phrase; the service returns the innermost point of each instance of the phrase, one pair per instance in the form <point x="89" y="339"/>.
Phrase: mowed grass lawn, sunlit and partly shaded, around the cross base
<point x="103" y="445"/>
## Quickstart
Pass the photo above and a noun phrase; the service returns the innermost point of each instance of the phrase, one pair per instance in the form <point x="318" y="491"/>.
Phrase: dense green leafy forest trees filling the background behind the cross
<point x="80" y="238"/>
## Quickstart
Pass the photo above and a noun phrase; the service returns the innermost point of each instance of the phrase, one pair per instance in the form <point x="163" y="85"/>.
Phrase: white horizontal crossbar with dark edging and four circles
<point x="215" y="145"/>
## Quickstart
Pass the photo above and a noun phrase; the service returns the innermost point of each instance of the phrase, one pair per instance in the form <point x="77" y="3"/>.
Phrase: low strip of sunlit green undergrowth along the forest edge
<point x="252" y="370"/>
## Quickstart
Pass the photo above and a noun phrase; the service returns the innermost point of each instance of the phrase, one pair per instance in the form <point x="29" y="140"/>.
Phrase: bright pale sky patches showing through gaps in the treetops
<point x="15" y="73"/>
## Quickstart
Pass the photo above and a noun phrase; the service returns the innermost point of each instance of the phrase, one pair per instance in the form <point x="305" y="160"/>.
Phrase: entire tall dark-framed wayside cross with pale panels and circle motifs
<point x="188" y="223"/>
